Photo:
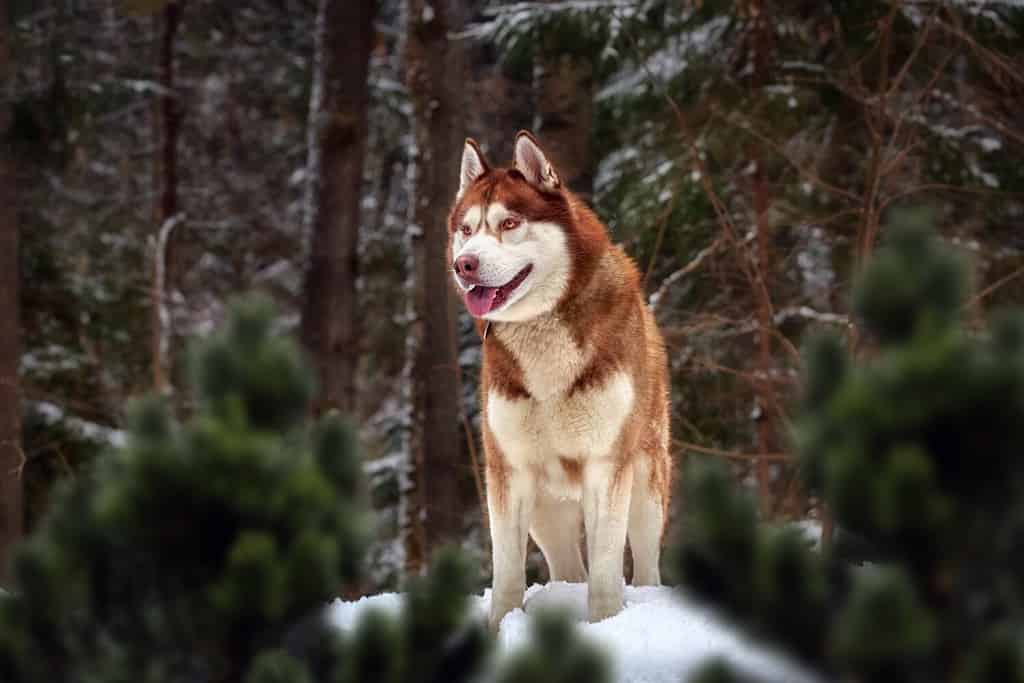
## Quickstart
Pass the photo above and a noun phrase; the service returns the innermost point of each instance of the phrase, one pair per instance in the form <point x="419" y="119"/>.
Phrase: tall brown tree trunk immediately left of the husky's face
<point x="436" y="67"/>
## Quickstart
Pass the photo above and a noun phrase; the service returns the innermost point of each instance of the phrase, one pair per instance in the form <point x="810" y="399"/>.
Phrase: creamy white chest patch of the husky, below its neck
<point x="557" y="424"/>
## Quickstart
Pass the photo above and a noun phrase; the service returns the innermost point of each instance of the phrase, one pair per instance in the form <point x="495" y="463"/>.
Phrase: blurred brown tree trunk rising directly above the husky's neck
<point x="565" y="91"/>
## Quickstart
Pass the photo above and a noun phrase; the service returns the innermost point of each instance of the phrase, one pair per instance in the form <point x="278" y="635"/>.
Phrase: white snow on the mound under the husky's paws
<point x="660" y="636"/>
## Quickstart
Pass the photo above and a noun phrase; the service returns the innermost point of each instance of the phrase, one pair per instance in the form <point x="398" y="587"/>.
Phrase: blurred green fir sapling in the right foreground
<point x="916" y="450"/>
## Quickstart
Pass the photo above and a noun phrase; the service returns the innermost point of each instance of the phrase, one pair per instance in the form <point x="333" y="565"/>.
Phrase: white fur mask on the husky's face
<point x="542" y="245"/>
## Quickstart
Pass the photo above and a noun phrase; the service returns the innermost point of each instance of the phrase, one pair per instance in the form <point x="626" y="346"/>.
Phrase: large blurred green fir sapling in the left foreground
<point x="204" y="541"/>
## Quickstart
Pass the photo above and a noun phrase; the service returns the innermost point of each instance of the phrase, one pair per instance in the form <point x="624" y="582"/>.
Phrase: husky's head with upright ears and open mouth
<point x="513" y="235"/>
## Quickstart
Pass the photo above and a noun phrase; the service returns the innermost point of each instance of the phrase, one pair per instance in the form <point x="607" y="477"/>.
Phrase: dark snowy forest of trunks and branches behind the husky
<point x="162" y="156"/>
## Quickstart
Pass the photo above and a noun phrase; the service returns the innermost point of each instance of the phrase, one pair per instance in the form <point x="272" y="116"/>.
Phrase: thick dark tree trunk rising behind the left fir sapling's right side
<point x="330" y="323"/>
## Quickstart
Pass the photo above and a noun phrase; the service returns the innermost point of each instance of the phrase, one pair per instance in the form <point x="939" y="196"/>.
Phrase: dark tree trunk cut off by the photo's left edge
<point x="12" y="457"/>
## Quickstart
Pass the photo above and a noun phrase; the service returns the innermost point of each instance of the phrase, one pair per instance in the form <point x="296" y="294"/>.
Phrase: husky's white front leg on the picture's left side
<point x="510" y="503"/>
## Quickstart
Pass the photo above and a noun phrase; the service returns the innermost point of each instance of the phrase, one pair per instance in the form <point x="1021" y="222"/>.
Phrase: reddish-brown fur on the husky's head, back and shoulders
<point x="604" y="307"/>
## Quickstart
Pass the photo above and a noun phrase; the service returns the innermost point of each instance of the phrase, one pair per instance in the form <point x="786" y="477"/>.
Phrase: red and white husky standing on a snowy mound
<point x="576" y="424"/>
